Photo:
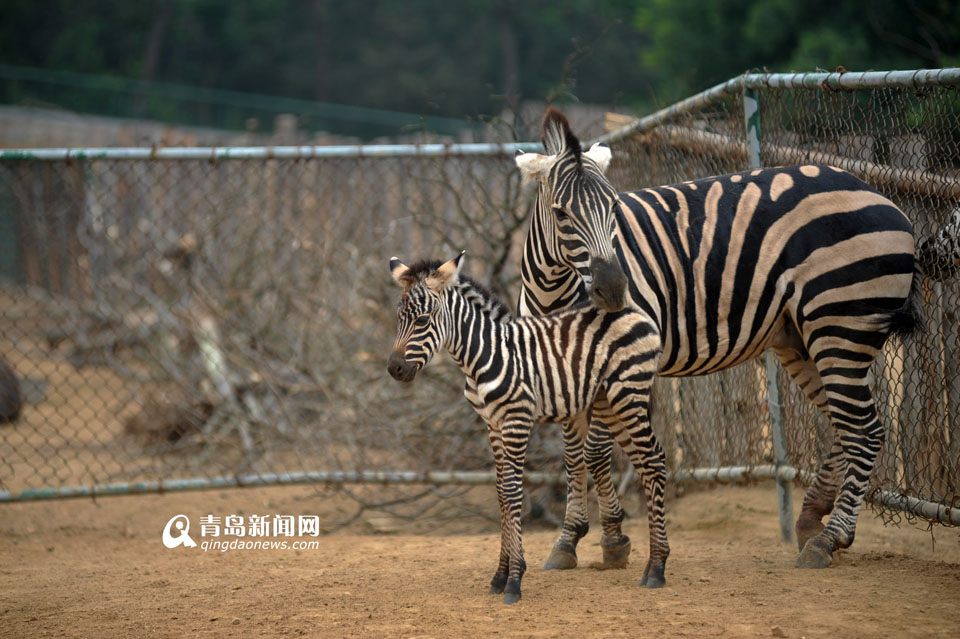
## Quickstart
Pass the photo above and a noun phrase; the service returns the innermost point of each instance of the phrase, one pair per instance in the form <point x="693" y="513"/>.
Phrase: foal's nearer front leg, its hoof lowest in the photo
<point x="515" y="437"/>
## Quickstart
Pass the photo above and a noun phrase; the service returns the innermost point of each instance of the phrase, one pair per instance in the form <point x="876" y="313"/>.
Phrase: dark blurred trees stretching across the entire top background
<point x="465" y="59"/>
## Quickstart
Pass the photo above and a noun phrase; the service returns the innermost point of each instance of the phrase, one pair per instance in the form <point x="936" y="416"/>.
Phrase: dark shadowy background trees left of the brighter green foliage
<point x="458" y="59"/>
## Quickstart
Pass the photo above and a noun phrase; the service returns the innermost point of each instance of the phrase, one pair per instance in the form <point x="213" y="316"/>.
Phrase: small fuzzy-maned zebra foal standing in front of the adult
<point x="523" y="370"/>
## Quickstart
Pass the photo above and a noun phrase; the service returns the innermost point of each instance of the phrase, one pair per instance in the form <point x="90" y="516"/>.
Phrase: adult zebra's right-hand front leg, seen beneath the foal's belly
<point x="598" y="454"/>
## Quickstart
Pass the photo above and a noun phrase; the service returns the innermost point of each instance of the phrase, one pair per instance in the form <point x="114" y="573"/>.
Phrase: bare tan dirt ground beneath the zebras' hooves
<point x="98" y="569"/>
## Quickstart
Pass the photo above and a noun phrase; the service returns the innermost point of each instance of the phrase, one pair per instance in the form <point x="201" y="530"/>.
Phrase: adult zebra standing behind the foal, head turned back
<point x="809" y="261"/>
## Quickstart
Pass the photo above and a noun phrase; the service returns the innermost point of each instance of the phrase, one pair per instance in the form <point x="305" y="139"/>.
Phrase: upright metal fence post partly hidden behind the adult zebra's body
<point x="751" y="117"/>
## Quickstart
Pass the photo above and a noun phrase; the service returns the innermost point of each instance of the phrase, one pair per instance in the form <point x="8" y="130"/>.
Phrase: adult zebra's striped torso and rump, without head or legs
<point x="733" y="265"/>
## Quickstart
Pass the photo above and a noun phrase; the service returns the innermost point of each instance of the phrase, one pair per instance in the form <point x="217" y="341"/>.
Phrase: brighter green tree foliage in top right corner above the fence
<point x="695" y="44"/>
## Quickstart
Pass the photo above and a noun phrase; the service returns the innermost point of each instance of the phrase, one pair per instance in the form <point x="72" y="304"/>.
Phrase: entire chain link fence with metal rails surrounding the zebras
<point x="191" y="318"/>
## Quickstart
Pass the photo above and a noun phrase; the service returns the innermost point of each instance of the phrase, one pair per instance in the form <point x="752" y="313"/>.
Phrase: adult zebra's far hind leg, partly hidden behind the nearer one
<point x="819" y="498"/>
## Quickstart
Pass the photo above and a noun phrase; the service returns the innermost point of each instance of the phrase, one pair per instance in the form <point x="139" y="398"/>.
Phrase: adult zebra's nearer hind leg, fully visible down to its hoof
<point x="859" y="435"/>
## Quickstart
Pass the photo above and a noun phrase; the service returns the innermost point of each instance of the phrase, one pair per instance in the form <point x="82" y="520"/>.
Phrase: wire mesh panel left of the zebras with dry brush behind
<point x="191" y="319"/>
